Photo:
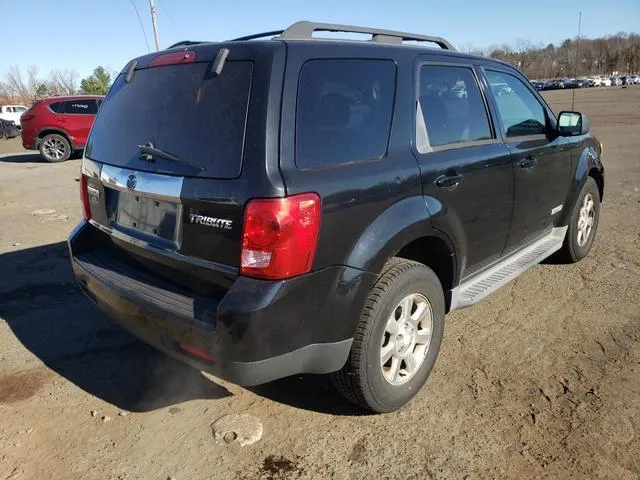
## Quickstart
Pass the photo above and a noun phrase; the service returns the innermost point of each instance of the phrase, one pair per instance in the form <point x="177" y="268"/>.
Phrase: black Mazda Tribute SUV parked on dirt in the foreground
<point x="264" y="207"/>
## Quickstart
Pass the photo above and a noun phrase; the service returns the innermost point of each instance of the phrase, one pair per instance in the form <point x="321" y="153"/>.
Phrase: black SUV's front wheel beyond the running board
<point x="583" y="224"/>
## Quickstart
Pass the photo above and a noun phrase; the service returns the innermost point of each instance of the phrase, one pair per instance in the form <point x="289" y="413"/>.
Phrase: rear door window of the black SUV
<point x="451" y="107"/>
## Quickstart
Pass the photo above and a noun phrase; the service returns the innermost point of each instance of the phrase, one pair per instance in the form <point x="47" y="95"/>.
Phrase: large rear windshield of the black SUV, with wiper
<point x="184" y="110"/>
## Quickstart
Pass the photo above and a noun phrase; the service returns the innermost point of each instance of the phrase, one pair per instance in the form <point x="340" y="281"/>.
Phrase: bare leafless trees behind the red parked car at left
<point x="26" y="87"/>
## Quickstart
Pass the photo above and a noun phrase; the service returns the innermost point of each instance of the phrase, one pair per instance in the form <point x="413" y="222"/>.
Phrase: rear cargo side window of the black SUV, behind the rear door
<point x="344" y="111"/>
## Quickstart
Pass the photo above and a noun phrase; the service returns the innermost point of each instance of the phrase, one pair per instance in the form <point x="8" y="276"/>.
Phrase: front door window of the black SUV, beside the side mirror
<point x="520" y="111"/>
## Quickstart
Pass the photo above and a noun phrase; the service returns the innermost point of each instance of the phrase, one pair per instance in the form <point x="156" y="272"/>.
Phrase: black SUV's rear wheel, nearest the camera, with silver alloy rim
<point x="397" y="340"/>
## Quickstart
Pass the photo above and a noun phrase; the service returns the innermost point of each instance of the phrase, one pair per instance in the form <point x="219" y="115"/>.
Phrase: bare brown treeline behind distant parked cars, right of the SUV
<point x="612" y="55"/>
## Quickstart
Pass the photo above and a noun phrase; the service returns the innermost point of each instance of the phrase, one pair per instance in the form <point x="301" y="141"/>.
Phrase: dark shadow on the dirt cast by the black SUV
<point x="48" y="314"/>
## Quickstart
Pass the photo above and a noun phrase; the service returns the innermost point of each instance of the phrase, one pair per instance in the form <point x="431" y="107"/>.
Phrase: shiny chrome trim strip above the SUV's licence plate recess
<point x="152" y="185"/>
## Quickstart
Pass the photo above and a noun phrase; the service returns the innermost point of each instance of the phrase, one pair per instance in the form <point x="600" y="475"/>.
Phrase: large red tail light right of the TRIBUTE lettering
<point x="280" y="236"/>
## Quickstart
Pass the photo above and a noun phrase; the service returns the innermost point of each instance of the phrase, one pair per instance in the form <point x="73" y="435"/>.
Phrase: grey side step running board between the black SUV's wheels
<point x="477" y="288"/>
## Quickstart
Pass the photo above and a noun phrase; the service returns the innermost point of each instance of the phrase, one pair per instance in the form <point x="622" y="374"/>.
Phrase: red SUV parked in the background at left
<point x="59" y="126"/>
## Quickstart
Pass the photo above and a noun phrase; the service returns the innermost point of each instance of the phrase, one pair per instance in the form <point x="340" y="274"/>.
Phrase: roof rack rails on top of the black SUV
<point x="304" y="31"/>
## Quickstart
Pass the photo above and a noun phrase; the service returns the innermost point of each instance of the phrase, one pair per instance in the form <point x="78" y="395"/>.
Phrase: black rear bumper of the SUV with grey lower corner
<point x="257" y="332"/>
